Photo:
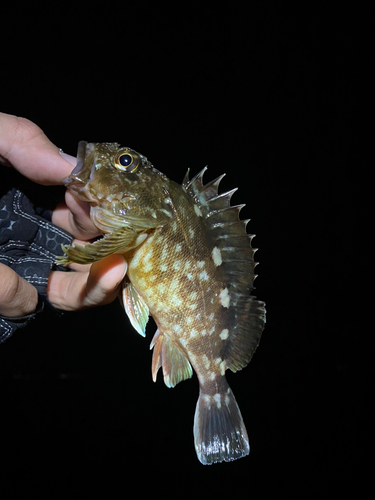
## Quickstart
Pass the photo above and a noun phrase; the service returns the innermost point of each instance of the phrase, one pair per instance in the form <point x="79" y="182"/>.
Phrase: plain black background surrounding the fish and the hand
<point x="269" y="95"/>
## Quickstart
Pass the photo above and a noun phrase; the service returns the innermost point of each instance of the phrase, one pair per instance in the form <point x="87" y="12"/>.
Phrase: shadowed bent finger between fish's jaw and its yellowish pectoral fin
<point x="74" y="217"/>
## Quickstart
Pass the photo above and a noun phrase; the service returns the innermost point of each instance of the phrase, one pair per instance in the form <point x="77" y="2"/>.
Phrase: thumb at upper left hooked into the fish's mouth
<point x="25" y="146"/>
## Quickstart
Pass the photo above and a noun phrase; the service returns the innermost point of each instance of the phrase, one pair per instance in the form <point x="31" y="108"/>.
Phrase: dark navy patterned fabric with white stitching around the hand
<point x="29" y="243"/>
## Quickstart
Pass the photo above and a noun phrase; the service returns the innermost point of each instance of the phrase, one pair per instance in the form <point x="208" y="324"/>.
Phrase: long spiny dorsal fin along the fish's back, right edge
<point x="229" y="235"/>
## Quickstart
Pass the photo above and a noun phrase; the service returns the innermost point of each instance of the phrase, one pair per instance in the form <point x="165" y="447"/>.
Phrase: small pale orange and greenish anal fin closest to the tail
<point x="167" y="355"/>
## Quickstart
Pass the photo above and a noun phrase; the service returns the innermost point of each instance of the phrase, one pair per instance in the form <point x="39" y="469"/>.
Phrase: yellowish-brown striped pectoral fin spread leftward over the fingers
<point x="122" y="239"/>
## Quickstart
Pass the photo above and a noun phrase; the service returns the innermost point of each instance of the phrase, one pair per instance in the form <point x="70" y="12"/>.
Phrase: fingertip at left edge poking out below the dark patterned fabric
<point x="17" y="296"/>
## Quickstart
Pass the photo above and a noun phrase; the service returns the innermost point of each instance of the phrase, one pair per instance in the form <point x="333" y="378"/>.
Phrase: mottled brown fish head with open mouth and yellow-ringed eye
<point x="120" y="184"/>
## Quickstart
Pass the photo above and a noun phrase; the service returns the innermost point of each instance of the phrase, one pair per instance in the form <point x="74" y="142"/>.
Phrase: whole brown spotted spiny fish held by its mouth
<point x="190" y="267"/>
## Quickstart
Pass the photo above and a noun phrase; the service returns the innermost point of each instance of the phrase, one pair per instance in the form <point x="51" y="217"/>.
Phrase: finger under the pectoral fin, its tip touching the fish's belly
<point x="99" y="286"/>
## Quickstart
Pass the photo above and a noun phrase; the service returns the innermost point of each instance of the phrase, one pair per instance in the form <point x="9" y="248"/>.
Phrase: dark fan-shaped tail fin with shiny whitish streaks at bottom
<point x="219" y="432"/>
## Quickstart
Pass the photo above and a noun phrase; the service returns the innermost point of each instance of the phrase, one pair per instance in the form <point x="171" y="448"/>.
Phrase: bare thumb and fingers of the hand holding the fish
<point x="24" y="146"/>
